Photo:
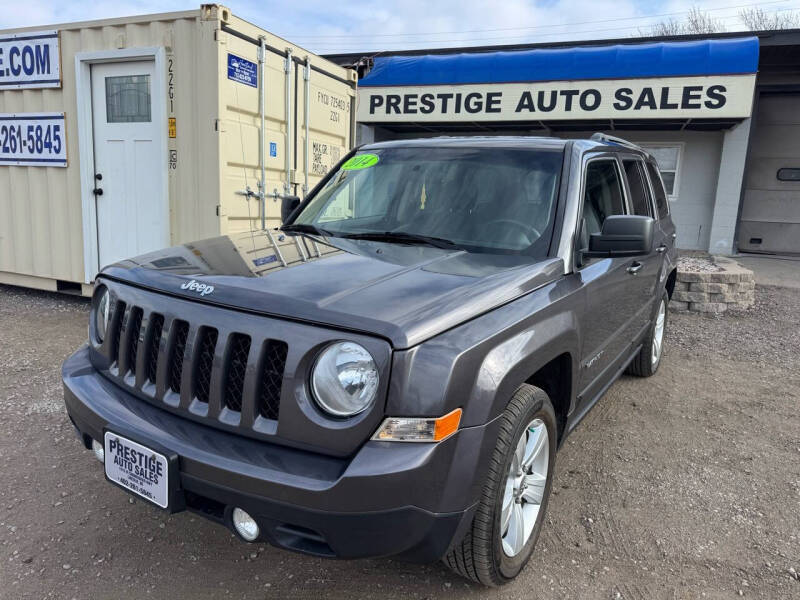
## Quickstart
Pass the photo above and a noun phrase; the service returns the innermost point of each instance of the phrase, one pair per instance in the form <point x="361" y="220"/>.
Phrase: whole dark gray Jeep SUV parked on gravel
<point x="392" y="370"/>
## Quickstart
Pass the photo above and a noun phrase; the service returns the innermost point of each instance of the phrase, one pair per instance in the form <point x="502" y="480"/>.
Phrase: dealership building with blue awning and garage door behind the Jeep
<point x="721" y="113"/>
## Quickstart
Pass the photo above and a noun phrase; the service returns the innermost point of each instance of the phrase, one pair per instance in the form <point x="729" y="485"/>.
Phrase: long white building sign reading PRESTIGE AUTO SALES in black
<point x="657" y="98"/>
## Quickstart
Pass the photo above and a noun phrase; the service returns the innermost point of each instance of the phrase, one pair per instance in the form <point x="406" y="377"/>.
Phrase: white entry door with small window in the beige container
<point x="132" y="207"/>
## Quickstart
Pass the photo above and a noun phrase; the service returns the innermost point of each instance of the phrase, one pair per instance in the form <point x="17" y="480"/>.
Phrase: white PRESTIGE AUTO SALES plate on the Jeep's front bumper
<point x="137" y="468"/>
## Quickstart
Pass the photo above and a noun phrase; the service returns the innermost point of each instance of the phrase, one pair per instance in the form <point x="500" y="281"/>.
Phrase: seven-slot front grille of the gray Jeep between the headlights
<point x="221" y="365"/>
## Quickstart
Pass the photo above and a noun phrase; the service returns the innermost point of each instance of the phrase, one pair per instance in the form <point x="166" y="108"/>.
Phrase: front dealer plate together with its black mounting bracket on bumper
<point x="168" y="497"/>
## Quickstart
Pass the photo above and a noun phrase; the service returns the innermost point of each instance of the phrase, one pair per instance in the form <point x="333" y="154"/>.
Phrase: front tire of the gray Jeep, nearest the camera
<point x="481" y="555"/>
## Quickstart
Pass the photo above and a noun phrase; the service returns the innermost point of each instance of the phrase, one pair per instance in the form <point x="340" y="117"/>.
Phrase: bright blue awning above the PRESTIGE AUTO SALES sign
<point x="732" y="56"/>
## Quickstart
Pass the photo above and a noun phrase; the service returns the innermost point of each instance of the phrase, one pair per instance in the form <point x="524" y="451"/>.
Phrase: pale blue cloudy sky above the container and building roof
<point x="330" y="27"/>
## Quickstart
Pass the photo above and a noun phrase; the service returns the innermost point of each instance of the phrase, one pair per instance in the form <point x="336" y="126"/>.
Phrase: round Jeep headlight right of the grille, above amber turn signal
<point x="344" y="380"/>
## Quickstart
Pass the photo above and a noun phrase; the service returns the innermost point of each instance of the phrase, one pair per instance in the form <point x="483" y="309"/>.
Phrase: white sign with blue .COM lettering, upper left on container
<point x="30" y="60"/>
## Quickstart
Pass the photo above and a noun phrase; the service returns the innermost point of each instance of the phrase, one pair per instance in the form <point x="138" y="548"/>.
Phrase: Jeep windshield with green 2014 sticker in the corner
<point x="479" y="198"/>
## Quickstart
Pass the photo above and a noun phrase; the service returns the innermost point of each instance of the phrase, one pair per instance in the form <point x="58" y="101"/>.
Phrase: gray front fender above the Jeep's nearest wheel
<point x="478" y="365"/>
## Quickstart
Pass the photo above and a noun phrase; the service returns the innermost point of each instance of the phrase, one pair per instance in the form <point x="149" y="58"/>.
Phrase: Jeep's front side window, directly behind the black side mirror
<point x="602" y="197"/>
